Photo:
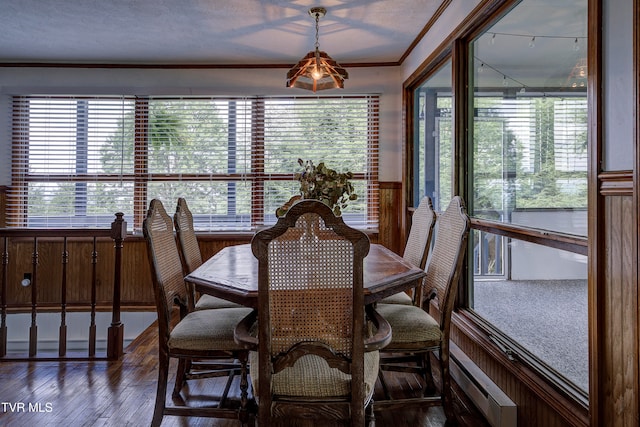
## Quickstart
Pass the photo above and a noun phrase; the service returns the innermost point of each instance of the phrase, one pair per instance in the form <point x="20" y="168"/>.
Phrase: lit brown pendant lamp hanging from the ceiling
<point x="317" y="70"/>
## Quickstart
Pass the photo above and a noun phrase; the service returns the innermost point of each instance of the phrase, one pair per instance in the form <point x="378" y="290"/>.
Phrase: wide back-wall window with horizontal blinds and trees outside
<point x="78" y="160"/>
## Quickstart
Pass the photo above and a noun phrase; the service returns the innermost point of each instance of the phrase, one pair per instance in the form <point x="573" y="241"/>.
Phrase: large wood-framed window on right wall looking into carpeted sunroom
<point x="524" y="162"/>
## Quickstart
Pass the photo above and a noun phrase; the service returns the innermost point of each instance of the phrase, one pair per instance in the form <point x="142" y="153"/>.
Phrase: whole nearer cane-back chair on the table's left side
<point x="202" y="335"/>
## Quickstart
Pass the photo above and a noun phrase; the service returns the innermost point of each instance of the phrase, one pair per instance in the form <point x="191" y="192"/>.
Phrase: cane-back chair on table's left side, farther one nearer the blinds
<point x="192" y="258"/>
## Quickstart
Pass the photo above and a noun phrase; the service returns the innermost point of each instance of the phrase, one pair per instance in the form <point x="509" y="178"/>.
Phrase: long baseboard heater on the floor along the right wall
<point x="493" y="403"/>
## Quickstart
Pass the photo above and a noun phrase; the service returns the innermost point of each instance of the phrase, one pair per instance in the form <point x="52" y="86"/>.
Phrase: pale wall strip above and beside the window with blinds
<point x="382" y="80"/>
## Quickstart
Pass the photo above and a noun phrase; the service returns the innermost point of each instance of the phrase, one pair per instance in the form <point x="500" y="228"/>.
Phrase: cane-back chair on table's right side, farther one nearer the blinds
<point x="416" y="250"/>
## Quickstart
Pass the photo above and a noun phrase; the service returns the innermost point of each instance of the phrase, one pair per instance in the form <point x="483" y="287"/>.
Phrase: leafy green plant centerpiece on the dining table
<point x="321" y="183"/>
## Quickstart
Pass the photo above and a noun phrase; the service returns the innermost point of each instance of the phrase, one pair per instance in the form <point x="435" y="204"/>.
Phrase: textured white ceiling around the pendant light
<point x="207" y="31"/>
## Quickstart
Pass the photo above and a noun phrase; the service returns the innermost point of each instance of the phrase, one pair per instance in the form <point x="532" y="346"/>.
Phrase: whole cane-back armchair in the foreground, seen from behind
<point x="314" y="358"/>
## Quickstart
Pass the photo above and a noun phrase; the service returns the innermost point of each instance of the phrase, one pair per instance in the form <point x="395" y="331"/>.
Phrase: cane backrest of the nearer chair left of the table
<point x="166" y="268"/>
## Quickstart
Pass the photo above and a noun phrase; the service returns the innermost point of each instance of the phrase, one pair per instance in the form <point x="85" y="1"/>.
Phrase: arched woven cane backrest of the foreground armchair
<point x="310" y="290"/>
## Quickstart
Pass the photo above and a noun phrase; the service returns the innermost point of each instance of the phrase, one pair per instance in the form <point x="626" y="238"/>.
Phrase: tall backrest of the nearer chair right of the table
<point x="446" y="259"/>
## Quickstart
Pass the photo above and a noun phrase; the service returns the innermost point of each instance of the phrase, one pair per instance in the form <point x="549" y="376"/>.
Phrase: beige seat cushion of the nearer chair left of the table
<point x="205" y="330"/>
